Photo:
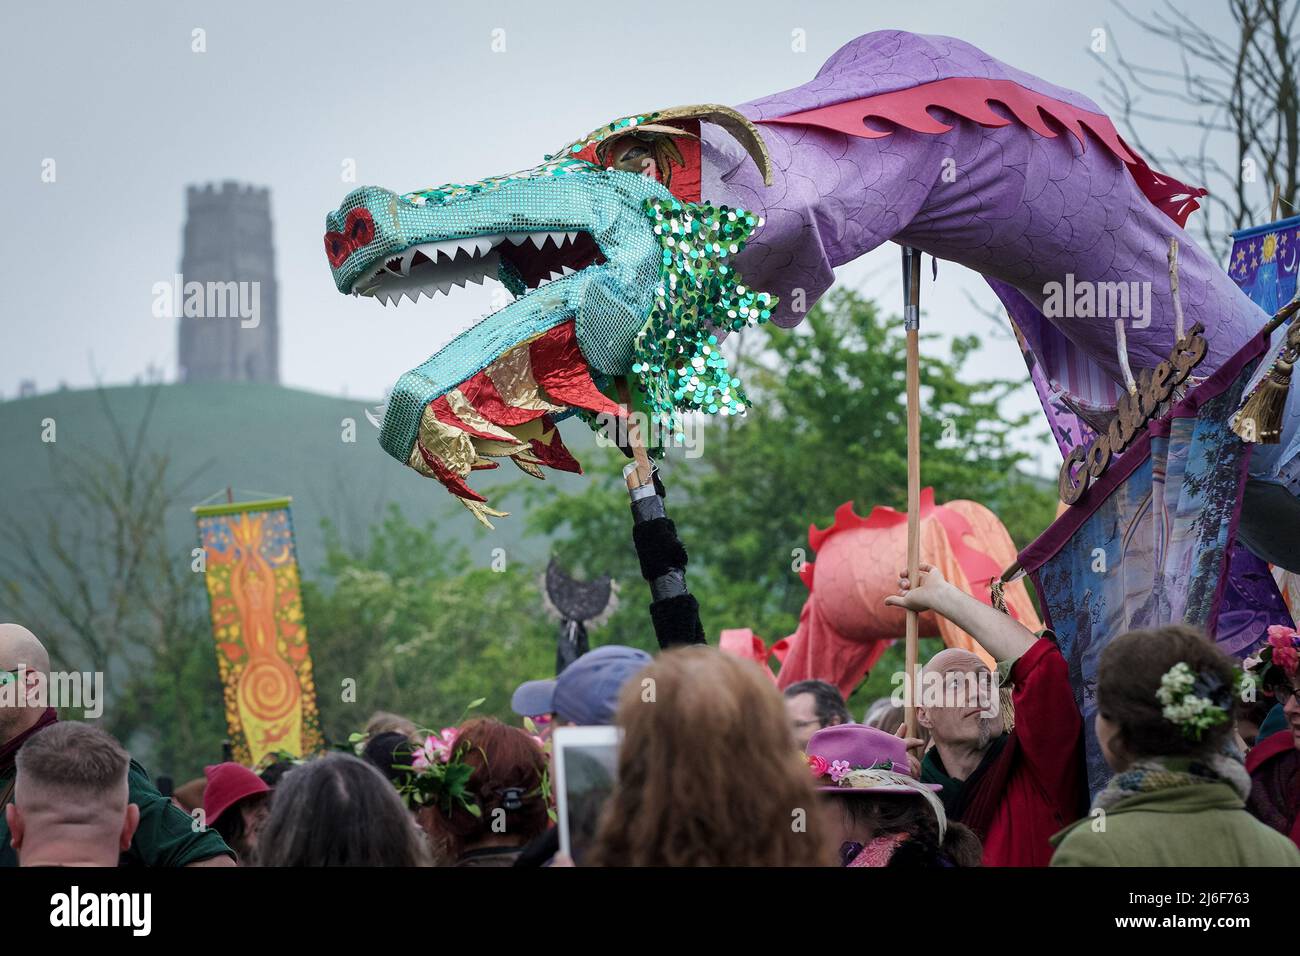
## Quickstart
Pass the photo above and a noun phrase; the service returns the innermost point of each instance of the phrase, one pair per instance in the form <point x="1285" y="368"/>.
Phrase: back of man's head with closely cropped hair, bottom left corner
<point x="72" y="803"/>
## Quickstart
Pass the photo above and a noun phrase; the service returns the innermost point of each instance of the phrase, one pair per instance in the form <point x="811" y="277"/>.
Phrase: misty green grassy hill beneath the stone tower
<point x="262" y="439"/>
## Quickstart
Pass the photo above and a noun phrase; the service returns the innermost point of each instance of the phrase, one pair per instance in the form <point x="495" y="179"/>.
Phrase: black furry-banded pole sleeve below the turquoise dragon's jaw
<point x="674" y="609"/>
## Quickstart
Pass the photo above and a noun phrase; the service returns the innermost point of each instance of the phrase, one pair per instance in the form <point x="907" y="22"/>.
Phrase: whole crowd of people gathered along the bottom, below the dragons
<point x="718" y="767"/>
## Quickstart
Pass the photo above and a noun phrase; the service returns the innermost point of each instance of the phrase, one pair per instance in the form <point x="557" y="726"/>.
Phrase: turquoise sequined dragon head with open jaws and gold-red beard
<point x="617" y="269"/>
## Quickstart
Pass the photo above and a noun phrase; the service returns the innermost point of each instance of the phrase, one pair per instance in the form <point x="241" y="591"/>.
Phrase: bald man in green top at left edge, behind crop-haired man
<point x="164" y="836"/>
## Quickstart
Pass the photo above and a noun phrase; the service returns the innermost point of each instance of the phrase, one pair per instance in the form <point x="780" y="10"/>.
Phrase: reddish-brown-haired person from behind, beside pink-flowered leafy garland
<point x="505" y="788"/>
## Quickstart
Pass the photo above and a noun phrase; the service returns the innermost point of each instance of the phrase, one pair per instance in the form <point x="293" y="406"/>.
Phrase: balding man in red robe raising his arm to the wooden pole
<point x="1015" y="789"/>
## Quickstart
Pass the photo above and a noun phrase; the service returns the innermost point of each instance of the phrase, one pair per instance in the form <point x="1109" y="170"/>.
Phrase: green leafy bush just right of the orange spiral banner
<point x="419" y="637"/>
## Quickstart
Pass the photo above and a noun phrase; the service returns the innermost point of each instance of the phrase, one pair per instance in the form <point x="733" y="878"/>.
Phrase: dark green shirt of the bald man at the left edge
<point x="164" y="838"/>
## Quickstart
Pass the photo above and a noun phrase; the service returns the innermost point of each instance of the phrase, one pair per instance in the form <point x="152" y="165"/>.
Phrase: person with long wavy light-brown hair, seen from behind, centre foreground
<point x="709" y="773"/>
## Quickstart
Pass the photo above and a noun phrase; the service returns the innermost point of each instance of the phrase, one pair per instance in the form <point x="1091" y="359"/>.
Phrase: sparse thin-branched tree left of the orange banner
<point x="99" y="582"/>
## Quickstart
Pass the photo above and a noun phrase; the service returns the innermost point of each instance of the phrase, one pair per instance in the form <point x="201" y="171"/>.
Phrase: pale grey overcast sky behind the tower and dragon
<point x="288" y="92"/>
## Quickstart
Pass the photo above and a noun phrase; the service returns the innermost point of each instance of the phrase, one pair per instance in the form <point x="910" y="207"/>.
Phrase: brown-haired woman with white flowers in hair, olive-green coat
<point x="1178" y="795"/>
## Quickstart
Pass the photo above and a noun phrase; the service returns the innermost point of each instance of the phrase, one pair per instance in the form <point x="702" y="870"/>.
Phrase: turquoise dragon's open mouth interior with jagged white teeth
<point x="531" y="259"/>
